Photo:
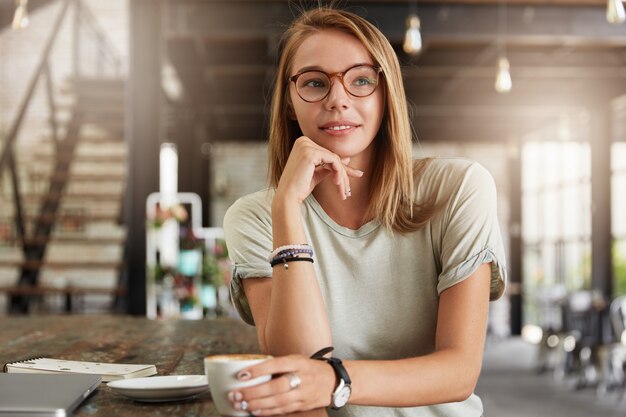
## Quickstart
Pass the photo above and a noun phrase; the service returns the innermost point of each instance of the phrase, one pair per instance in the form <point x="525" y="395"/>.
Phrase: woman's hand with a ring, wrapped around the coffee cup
<point x="299" y="384"/>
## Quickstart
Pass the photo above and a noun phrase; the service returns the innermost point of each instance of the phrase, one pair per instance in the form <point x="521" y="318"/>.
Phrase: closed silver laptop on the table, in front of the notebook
<point x="38" y="395"/>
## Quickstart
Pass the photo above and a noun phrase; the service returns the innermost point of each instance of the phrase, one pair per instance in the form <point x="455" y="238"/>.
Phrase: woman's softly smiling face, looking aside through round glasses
<point x="341" y="122"/>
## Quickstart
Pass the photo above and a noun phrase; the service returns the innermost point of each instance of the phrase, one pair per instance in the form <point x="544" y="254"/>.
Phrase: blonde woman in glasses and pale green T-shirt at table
<point x="402" y="257"/>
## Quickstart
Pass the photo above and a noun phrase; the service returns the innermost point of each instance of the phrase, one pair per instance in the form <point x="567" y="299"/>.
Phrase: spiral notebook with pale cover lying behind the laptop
<point x="108" y="371"/>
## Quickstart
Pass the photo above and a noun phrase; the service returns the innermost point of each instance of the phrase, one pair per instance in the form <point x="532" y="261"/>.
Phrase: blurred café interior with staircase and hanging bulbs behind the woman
<point x="128" y="127"/>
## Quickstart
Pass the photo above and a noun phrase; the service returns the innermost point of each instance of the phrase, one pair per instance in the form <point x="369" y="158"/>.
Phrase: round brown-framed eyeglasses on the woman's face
<point x="358" y="81"/>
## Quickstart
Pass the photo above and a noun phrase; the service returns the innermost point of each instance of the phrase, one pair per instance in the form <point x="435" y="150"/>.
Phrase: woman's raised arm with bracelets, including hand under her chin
<point x="288" y="309"/>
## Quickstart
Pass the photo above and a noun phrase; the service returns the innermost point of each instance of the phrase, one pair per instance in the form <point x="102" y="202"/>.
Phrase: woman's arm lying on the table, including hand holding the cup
<point x="447" y="375"/>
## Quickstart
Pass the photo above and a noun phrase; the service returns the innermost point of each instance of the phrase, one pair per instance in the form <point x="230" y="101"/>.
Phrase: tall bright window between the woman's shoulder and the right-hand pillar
<point x="556" y="219"/>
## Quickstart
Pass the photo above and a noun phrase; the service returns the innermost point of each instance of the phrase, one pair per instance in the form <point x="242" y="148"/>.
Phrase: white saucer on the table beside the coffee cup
<point x="161" y="388"/>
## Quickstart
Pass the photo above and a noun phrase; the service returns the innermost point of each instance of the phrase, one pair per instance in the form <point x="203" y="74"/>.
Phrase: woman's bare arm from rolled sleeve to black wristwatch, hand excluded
<point x="447" y="375"/>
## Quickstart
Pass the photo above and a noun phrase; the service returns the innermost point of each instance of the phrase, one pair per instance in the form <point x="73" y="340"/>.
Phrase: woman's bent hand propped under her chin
<point x="308" y="165"/>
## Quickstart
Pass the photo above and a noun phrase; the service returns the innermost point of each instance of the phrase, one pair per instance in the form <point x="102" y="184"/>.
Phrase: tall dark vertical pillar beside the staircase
<point x="143" y="138"/>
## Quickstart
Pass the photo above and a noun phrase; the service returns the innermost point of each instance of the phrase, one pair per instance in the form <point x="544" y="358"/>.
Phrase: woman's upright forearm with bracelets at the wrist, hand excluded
<point x="297" y="321"/>
